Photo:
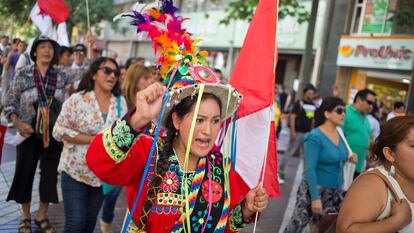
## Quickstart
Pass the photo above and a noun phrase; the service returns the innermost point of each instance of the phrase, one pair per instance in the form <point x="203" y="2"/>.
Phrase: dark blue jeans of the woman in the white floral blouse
<point x="81" y="204"/>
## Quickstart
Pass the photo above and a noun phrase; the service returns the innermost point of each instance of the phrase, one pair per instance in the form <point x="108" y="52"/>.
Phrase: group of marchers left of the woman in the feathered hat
<point x="58" y="99"/>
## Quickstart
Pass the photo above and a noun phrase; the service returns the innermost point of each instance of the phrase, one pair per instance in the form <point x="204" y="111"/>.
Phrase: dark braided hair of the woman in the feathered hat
<point x="183" y="108"/>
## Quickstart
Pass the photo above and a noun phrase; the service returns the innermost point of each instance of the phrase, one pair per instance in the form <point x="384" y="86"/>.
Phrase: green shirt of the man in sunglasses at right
<point x="357" y="132"/>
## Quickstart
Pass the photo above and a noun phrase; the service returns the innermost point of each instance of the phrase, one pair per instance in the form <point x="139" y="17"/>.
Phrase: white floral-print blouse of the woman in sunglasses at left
<point x="81" y="114"/>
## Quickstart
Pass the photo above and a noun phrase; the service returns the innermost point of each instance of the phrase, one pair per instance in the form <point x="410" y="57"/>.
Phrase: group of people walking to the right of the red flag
<point x="331" y="134"/>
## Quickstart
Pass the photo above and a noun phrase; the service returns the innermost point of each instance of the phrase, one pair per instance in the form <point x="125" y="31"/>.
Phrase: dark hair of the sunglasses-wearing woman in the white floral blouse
<point x="87" y="83"/>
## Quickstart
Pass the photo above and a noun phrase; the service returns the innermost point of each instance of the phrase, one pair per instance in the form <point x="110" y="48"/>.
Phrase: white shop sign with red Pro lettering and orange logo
<point x="381" y="53"/>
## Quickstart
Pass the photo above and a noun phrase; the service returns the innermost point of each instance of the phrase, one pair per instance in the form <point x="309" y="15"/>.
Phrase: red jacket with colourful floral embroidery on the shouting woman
<point x="118" y="157"/>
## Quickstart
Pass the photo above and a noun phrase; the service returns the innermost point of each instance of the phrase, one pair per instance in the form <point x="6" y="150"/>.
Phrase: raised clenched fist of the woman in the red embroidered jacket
<point x="148" y="103"/>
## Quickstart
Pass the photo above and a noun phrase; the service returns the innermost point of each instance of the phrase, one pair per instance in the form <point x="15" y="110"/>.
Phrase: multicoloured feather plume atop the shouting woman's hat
<point x="174" y="44"/>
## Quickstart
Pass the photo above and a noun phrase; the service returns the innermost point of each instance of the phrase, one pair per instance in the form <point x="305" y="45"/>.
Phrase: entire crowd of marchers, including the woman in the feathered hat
<point x="91" y="122"/>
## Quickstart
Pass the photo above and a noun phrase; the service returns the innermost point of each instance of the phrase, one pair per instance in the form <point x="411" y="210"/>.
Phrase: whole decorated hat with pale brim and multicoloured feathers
<point x="182" y="65"/>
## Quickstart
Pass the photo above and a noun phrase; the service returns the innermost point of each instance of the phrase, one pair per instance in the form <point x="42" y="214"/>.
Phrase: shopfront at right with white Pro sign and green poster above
<point x="376" y="52"/>
